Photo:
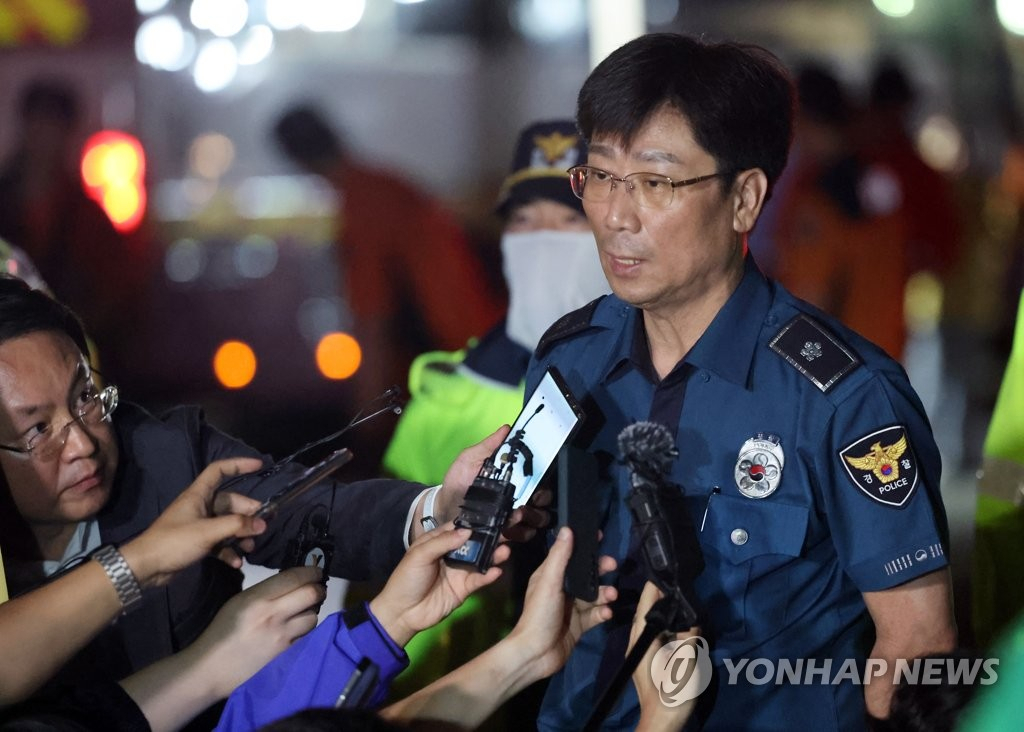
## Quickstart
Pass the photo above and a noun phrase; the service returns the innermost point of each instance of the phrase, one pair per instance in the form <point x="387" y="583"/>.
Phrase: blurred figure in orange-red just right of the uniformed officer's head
<point x="840" y="239"/>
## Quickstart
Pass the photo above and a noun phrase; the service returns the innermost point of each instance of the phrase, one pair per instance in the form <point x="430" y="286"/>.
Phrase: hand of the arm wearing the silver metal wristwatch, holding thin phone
<point x="195" y="525"/>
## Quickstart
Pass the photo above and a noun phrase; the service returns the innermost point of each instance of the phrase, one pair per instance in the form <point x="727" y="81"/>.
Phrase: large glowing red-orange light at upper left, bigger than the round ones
<point x="113" y="171"/>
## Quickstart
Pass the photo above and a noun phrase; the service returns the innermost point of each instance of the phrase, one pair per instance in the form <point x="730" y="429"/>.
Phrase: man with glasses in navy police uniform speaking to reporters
<point x="804" y="456"/>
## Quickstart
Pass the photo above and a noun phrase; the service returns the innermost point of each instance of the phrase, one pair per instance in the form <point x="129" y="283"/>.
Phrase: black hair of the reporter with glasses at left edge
<point x="24" y="311"/>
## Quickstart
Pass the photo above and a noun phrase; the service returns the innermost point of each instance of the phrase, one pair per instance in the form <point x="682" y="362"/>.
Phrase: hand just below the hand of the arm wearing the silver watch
<point x="258" y="625"/>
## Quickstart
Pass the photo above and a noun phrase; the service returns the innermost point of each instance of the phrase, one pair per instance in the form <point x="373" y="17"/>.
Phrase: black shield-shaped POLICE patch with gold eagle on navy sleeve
<point x="882" y="465"/>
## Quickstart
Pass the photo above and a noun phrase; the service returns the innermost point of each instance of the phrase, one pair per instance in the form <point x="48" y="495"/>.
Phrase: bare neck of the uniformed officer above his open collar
<point x="673" y="331"/>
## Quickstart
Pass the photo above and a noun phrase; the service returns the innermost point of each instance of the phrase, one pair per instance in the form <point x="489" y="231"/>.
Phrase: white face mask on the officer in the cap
<point x="549" y="274"/>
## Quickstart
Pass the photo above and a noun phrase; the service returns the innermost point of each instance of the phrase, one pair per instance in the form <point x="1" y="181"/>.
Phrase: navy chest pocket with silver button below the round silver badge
<point x="747" y="546"/>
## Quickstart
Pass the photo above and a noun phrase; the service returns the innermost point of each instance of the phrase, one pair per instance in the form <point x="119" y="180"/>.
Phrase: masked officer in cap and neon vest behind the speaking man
<point x="551" y="268"/>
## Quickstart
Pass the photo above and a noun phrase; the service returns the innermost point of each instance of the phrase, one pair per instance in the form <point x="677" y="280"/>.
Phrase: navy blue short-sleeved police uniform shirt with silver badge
<point x="812" y="473"/>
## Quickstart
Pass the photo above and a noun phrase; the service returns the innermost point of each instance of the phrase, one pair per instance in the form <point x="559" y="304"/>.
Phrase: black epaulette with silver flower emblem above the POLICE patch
<point x="815" y="352"/>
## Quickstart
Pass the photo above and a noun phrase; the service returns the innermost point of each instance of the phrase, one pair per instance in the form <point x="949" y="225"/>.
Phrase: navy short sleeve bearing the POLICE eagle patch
<point x="881" y="471"/>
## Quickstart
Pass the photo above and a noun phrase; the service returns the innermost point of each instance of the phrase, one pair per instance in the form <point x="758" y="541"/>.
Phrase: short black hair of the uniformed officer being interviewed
<point x="739" y="99"/>
